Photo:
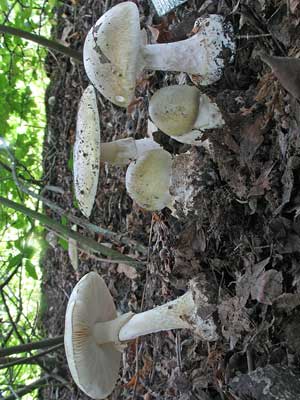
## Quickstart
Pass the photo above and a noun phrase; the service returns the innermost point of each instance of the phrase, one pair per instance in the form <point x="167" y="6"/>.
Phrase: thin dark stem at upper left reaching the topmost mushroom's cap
<point x="41" y="40"/>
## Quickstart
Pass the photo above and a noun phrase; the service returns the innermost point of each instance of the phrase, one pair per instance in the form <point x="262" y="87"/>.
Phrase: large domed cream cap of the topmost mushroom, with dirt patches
<point x="110" y="53"/>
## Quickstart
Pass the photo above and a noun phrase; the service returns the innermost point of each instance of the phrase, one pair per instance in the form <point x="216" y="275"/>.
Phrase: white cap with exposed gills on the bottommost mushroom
<point x="94" y="367"/>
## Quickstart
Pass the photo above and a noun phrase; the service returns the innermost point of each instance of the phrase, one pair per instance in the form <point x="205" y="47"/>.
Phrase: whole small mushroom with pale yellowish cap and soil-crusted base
<point x="157" y="180"/>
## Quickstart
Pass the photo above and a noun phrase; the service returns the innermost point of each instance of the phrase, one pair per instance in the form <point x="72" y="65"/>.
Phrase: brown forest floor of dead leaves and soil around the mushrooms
<point x="241" y="240"/>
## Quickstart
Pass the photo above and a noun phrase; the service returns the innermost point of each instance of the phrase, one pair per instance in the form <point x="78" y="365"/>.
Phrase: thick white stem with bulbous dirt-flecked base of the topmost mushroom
<point x="202" y="54"/>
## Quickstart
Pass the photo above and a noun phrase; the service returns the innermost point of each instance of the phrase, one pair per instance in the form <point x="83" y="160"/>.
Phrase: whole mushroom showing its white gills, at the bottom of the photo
<point x="95" y="335"/>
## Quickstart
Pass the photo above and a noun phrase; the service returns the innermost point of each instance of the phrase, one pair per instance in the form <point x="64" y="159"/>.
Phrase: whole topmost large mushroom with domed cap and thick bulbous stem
<point x="114" y="53"/>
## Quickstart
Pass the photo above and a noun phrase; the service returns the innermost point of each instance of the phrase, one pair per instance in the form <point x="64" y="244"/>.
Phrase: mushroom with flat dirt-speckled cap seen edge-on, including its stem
<point x="88" y="150"/>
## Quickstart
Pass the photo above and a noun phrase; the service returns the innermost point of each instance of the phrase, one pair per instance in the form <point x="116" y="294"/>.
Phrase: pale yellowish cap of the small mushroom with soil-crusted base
<point x="148" y="179"/>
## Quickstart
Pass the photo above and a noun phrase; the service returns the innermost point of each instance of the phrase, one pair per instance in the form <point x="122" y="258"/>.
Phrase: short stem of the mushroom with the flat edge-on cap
<point x="123" y="151"/>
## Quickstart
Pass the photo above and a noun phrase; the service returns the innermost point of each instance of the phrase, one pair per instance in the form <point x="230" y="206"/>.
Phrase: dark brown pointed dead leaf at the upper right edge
<point x="286" y="70"/>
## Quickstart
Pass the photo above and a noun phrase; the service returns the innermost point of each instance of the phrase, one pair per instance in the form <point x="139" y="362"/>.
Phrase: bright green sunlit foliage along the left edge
<point x="22" y="120"/>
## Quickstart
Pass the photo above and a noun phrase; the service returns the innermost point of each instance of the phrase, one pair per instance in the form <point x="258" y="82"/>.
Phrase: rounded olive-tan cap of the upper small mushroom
<point x="174" y="109"/>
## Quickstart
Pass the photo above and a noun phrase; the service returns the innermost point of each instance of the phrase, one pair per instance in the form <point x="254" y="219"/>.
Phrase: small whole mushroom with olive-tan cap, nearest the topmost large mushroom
<point x="183" y="113"/>
